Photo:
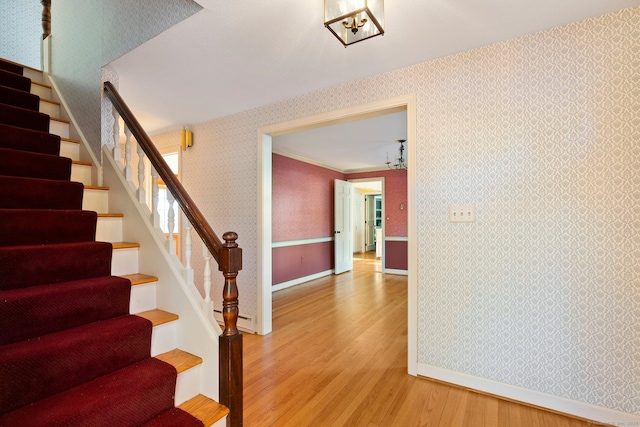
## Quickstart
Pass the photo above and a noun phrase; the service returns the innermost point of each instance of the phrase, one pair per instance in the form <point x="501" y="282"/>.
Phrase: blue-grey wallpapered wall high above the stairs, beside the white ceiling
<point x="87" y="34"/>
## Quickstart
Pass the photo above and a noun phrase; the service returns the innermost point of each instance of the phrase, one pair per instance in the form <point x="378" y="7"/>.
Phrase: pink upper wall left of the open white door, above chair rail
<point x="302" y="200"/>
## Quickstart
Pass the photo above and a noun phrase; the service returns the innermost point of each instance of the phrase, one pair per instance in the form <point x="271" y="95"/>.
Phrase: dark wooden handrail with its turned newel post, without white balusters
<point x="227" y="255"/>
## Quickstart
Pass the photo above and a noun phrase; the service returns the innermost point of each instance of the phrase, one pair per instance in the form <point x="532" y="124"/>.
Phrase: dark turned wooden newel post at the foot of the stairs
<point x="231" y="388"/>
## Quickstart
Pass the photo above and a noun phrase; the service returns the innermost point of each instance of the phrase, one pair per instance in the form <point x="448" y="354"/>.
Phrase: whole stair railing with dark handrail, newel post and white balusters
<point x="228" y="255"/>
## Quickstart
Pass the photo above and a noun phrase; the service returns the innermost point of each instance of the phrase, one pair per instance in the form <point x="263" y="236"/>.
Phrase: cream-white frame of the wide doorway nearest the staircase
<point x="264" y="238"/>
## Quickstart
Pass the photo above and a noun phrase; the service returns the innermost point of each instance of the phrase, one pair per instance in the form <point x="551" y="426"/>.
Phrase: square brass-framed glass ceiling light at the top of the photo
<point x="352" y="21"/>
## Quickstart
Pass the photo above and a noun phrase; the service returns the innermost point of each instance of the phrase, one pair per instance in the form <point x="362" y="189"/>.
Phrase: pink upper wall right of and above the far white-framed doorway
<point x="395" y="194"/>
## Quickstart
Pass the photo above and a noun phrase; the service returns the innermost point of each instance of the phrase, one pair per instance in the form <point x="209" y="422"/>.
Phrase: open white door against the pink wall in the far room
<point x="343" y="231"/>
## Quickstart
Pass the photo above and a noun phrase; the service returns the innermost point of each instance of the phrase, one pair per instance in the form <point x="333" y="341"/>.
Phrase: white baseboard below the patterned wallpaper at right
<point x="532" y="397"/>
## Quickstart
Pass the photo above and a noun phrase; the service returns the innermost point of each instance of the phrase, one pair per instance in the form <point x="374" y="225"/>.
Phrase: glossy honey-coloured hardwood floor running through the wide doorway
<point x="337" y="356"/>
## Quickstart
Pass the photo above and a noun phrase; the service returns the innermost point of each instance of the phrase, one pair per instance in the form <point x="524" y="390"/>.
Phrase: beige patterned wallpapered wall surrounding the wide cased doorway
<point x="542" y="135"/>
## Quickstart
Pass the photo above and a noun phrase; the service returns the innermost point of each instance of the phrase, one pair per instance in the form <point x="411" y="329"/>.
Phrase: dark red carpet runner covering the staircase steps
<point x="70" y="352"/>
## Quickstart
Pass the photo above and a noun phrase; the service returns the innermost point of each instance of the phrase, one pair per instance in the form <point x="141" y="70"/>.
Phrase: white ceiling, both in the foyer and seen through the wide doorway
<point x="237" y="55"/>
